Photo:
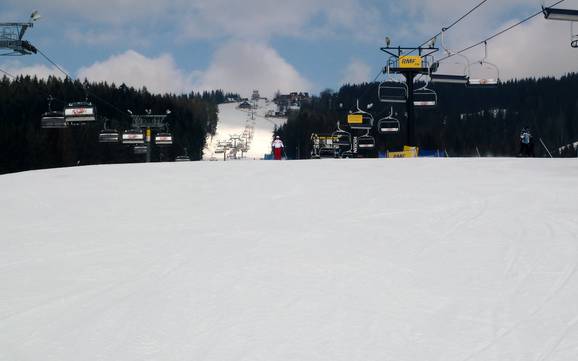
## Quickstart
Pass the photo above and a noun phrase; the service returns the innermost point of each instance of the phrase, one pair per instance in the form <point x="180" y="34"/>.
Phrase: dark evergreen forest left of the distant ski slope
<point x="24" y="145"/>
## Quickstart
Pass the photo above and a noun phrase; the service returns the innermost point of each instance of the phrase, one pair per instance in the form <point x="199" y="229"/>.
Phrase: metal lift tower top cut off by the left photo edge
<point x="11" y="38"/>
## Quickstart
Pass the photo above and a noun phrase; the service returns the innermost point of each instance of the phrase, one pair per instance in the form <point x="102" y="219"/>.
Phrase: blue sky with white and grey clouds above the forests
<point x="299" y="45"/>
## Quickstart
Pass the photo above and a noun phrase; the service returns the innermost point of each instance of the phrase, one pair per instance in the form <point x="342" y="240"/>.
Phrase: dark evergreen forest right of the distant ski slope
<point x="467" y="121"/>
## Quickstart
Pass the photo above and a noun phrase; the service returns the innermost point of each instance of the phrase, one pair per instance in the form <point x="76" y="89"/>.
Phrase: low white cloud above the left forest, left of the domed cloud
<point x="158" y="75"/>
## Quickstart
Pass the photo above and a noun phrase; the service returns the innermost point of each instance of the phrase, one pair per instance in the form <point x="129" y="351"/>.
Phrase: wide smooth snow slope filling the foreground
<point x="337" y="260"/>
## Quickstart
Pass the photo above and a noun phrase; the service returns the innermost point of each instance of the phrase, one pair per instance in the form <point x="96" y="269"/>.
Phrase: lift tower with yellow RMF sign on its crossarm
<point x="401" y="62"/>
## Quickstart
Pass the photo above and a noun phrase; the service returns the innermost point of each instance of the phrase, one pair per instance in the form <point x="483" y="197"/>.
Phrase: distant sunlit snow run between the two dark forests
<point x="232" y="121"/>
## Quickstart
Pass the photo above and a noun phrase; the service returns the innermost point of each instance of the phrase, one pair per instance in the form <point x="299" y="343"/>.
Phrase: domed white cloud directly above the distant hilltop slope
<point x="242" y="66"/>
